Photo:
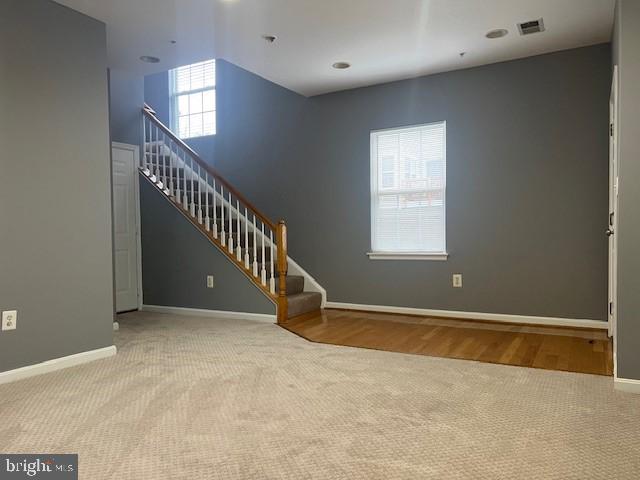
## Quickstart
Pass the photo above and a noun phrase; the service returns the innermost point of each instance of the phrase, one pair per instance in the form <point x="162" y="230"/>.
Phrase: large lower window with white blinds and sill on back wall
<point x="408" y="173"/>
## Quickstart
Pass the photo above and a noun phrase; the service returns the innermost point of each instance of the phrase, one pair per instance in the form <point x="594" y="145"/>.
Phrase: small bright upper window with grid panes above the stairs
<point x="193" y="99"/>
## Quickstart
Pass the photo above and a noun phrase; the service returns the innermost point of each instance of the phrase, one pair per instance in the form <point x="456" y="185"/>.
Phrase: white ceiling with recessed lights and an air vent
<point x="383" y="40"/>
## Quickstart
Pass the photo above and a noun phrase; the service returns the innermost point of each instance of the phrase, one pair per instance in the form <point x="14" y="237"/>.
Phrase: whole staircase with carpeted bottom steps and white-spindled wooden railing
<point x="256" y="245"/>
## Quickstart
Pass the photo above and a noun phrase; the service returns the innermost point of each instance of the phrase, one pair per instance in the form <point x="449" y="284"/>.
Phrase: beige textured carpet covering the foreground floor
<point x="194" y="398"/>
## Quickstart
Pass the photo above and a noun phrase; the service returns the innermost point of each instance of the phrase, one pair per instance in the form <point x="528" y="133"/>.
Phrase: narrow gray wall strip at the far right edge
<point x="627" y="56"/>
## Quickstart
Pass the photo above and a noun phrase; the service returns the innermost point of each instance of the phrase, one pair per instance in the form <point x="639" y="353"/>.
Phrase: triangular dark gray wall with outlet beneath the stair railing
<point x="176" y="259"/>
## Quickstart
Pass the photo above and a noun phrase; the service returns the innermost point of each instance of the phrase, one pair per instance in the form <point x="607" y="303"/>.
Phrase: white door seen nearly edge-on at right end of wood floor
<point x="613" y="202"/>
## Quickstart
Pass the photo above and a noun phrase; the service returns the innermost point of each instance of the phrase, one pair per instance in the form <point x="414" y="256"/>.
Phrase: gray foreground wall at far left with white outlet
<point x="55" y="200"/>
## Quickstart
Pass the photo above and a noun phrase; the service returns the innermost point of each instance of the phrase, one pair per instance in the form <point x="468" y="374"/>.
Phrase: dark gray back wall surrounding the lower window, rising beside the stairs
<point x="527" y="180"/>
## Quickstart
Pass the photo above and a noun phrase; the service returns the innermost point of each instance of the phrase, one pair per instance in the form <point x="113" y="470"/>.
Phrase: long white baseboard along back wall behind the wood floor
<point x="494" y="317"/>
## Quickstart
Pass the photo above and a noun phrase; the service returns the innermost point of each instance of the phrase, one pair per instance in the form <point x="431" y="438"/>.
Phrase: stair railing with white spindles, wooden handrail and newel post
<point x="182" y="176"/>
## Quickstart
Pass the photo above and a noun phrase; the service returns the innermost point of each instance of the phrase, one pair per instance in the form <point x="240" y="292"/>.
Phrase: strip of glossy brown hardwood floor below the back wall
<point x="551" y="348"/>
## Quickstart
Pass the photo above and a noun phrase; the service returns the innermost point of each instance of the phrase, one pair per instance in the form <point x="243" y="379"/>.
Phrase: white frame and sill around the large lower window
<point x="374" y="195"/>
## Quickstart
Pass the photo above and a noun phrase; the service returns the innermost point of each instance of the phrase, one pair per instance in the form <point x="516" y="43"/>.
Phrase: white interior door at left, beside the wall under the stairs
<point x="125" y="226"/>
